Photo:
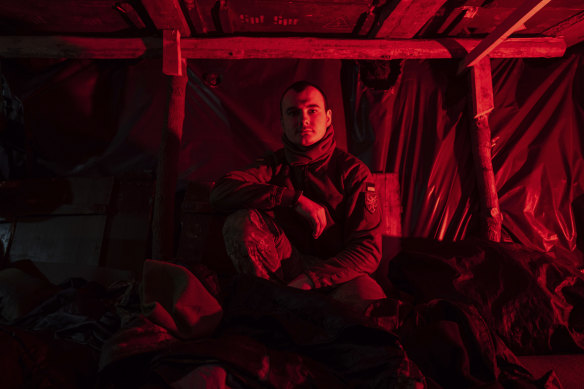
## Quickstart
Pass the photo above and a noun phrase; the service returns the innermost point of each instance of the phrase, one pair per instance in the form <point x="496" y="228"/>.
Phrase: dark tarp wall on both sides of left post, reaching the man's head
<point x="106" y="116"/>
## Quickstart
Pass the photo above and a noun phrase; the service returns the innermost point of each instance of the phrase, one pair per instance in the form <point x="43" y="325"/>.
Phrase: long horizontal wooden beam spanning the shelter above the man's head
<point x="242" y="48"/>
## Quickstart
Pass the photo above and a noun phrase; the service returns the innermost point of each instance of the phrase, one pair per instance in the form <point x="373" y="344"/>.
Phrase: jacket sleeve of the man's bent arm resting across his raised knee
<point x="250" y="188"/>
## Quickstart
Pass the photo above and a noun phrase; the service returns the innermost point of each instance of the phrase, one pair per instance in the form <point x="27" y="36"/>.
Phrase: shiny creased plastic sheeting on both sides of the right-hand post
<point x="537" y="149"/>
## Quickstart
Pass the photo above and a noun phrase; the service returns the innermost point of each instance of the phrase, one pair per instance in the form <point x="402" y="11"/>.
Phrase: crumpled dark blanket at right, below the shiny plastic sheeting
<point x="533" y="302"/>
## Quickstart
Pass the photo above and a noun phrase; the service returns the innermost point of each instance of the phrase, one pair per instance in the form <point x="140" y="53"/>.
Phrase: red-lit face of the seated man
<point x="304" y="118"/>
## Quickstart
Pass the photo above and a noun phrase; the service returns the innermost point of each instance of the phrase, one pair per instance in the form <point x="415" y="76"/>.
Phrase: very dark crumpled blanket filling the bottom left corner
<point x="56" y="343"/>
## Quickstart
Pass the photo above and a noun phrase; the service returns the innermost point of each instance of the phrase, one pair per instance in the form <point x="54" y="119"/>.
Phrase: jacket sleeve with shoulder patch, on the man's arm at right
<point x="362" y="236"/>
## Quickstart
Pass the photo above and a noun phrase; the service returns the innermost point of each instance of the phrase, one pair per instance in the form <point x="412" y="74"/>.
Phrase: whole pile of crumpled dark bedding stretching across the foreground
<point x="456" y="316"/>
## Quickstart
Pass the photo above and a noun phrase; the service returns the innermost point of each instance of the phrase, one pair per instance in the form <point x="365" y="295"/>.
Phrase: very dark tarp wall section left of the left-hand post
<point x="90" y="117"/>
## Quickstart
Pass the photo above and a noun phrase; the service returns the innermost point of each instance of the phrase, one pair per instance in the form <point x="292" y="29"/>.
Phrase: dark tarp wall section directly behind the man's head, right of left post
<point x="230" y="125"/>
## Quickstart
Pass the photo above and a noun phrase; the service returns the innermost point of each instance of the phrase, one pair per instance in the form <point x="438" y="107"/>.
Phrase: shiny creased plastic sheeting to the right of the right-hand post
<point x="539" y="146"/>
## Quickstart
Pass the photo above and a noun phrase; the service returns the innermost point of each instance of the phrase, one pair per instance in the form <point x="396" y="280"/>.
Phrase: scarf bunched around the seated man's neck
<point x="306" y="155"/>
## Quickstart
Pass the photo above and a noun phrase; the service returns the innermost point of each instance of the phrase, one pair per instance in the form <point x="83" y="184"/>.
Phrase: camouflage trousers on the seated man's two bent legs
<point x="258" y="246"/>
